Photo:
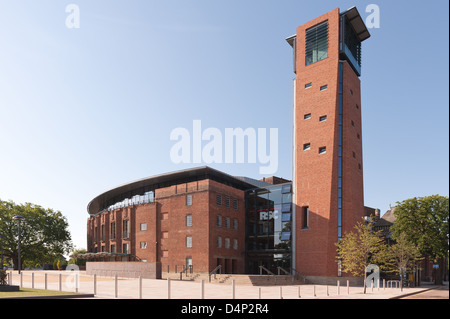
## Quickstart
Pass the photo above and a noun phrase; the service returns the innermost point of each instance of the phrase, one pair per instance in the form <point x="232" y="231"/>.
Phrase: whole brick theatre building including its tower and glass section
<point x="205" y="218"/>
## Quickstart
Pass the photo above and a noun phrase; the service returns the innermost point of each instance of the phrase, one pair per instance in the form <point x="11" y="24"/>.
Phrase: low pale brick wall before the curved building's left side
<point x="125" y="269"/>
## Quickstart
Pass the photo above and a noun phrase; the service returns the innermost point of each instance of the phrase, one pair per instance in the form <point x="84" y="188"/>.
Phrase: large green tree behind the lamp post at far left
<point x="44" y="233"/>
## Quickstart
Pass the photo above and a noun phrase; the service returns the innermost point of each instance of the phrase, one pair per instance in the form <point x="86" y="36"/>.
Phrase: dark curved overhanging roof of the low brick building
<point x="121" y="192"/>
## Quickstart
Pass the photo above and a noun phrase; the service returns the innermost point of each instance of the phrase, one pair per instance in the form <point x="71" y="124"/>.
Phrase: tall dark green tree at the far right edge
<point x="424" y="221"/>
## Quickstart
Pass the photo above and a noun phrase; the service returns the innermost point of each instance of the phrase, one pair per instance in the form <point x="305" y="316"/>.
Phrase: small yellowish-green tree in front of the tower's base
<point x="361" y="248"/>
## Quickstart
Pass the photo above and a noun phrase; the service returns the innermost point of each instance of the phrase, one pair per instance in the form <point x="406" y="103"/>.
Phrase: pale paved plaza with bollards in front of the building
<point x="126" y="288"/>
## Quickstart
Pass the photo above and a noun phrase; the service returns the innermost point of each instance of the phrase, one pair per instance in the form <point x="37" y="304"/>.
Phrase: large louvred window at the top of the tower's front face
<point x="316" y="43"/>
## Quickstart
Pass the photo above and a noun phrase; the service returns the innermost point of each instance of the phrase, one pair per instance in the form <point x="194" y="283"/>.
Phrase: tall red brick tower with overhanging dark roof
<point x="328" y="176"/>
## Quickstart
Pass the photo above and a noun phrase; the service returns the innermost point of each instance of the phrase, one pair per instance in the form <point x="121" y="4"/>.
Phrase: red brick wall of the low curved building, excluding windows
<point x="166" y="232"/>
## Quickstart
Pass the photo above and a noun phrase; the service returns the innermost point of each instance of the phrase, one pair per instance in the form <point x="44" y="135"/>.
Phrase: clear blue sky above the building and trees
<point x="84" y="110"/>
